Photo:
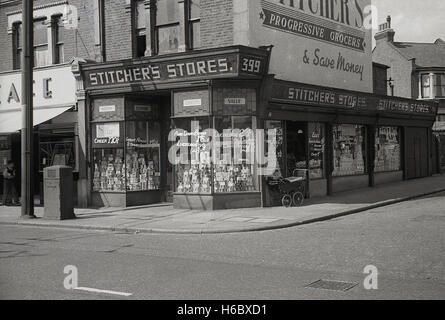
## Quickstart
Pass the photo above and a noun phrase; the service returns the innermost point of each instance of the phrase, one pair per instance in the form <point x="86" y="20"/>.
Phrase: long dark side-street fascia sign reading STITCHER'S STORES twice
<point x="327" y="97"/>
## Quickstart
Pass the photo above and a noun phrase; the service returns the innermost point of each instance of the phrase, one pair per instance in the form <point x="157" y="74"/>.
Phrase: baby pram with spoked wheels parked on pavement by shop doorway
<point x="291" y="190"/>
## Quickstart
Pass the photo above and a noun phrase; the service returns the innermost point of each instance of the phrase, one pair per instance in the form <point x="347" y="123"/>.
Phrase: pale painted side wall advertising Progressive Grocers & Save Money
<point x="320" y="42"/>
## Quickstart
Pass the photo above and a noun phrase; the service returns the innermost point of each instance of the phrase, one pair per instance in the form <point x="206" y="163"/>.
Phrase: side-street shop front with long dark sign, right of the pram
<point x="348" y="140"/>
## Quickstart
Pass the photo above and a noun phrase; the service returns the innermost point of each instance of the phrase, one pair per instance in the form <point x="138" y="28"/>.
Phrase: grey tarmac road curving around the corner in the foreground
<point x="405" y="242"/>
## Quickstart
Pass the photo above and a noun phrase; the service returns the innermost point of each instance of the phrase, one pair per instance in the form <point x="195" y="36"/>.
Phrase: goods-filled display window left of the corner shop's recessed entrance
<point x="130" y="166"/>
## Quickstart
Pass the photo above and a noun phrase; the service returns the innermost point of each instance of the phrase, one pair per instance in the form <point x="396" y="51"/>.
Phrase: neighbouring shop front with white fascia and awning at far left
<point x="55" y="121"/>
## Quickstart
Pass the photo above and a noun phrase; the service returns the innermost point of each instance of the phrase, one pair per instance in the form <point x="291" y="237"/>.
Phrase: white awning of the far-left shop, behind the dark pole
<point x="11" y="122"/>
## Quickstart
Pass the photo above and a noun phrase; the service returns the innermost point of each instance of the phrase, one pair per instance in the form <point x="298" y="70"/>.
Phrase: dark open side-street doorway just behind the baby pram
<point x="297" y="154"/>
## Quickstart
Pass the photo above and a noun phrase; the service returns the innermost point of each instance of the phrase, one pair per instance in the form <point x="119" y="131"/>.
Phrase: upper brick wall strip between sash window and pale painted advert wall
<point x="216" y="23"/>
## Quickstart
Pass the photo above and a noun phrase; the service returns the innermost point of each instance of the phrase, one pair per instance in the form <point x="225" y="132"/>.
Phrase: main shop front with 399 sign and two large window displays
<point x="143" y="115"/>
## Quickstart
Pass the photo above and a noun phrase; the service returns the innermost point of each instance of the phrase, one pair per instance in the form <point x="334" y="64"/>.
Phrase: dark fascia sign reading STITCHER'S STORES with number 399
<point x="189" y="68"/>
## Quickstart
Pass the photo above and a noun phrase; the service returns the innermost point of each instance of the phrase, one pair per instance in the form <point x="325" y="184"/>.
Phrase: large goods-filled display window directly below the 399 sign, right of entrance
<point x="220" y="160"/>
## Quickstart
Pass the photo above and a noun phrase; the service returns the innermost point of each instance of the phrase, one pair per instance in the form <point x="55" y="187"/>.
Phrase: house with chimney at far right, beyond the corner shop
<point x="415" y="71"/>
